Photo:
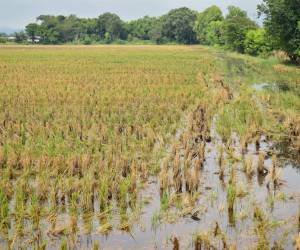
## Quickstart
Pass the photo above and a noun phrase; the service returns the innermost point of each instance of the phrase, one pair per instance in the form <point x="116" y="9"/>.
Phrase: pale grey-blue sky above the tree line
<point x="15" y="14"/>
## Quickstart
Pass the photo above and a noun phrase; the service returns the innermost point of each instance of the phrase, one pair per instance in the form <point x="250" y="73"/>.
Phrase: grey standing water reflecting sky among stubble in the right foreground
<point x="281" y="206"/>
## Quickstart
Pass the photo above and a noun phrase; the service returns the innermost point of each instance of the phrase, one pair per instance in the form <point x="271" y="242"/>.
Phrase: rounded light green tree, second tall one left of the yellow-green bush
<point x="209" y="21"/>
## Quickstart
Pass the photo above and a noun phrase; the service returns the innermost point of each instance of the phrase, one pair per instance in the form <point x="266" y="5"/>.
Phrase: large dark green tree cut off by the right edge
<point x="282" y="23"/>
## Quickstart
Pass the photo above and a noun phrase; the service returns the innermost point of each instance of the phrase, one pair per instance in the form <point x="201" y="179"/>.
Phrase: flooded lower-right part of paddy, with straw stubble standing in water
<point x="265" y="205"/>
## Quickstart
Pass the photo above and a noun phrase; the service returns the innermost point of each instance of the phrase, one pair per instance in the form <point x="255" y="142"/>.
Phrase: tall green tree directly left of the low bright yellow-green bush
<point x="236" y="25"/>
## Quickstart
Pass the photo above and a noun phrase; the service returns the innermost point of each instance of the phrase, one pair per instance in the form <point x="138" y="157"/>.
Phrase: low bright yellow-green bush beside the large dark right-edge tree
<point x="257" y="42"/>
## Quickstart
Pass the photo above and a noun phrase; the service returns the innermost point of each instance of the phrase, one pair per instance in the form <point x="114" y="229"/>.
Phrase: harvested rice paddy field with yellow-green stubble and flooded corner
<point x="148" y="147"/>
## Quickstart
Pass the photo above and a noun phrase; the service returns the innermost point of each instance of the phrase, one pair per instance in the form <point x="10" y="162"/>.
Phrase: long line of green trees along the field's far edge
<point x="235" y="30"/>
